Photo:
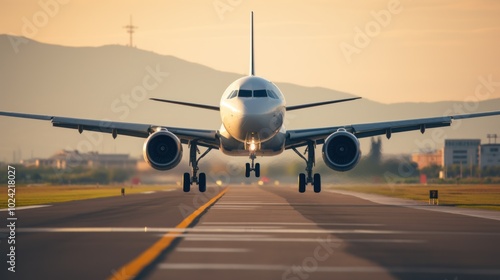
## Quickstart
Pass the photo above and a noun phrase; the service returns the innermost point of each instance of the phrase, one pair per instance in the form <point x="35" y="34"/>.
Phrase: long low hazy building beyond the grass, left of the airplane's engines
<point x="64" y="159"/>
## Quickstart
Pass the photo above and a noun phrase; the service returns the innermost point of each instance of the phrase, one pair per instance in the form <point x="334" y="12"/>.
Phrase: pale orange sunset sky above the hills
<point x="388" y="51"/>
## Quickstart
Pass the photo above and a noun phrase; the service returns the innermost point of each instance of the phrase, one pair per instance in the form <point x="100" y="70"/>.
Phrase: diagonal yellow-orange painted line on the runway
<point x="133" y="268"/>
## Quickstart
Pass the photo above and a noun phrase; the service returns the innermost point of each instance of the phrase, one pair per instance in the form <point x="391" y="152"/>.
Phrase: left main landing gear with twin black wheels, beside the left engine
<point x="189" y="179"/>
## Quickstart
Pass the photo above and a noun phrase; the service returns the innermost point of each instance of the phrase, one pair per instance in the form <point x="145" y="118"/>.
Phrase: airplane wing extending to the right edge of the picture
<point x="297" y="138"/>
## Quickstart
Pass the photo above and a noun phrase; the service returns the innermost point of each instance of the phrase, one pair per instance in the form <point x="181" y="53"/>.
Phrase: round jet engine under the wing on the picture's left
<point x="162" y="150"/>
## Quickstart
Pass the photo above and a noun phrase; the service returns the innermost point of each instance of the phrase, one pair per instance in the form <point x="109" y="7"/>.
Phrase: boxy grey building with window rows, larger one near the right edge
<point x="461" y="152"/>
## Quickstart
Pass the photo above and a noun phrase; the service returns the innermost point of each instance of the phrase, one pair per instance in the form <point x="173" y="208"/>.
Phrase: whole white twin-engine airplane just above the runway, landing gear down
<point x="252" y="110"/>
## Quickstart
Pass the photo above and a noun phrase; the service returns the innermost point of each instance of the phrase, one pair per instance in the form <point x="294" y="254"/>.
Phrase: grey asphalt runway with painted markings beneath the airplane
<point x="251" y="233"/>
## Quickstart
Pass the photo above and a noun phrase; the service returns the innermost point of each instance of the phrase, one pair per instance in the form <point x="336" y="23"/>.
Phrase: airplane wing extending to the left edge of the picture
<point x="207" y="138"/>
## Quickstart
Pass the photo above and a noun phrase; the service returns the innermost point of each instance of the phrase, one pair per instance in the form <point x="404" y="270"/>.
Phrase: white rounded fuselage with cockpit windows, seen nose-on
<point x="252" y="112"/>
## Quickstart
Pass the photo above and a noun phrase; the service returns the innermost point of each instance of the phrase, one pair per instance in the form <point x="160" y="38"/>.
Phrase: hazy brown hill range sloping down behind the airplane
<point x="100" y="83"/>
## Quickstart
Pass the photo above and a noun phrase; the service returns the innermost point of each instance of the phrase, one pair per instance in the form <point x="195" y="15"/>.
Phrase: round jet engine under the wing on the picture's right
<point x="341" y="150"/>
